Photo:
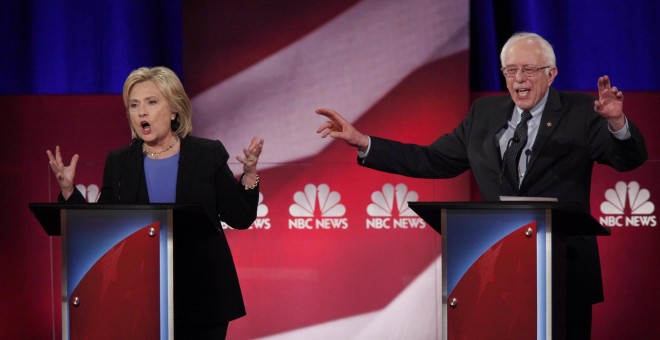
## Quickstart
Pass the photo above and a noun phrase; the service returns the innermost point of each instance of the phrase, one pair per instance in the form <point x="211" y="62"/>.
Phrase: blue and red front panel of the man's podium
<point x="495" y="280"/>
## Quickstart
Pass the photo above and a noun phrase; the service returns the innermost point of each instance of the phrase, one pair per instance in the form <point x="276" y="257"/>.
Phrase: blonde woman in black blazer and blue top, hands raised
<point x="165" y="164"/>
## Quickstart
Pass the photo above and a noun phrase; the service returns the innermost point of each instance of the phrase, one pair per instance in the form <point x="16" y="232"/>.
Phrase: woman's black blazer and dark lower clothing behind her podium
<point x="206" y="288"/>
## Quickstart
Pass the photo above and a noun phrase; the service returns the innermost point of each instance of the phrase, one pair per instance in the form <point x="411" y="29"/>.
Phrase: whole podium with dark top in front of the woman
<point x="118" y="266"/>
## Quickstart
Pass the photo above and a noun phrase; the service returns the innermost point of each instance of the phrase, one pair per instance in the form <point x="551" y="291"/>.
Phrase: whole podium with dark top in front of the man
<point x="504" y="265"/>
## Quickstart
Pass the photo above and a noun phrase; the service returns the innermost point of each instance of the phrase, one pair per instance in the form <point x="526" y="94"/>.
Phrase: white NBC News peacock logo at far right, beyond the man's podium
<point x="627" y="205"/>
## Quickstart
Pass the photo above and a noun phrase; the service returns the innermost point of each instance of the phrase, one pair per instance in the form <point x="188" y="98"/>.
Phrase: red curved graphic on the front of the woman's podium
<point x="119" y="297"/>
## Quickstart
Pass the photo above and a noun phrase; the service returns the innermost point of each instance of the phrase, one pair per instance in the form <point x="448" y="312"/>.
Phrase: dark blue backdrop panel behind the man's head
<point x="591" y="38"/>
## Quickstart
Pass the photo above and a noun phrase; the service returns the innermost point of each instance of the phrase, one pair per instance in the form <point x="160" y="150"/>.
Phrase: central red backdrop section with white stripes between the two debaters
<point x="336" y="253"/>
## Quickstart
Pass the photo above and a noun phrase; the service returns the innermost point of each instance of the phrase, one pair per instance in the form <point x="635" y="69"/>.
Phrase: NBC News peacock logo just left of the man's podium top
<point x="389" y="209"/>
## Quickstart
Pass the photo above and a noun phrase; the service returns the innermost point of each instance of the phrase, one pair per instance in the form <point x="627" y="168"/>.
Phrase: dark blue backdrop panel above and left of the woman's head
<point x="78" y="46"/>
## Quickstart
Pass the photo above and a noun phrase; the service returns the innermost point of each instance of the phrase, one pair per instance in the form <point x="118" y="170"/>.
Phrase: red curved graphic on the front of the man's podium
<point x="496" y="298"/>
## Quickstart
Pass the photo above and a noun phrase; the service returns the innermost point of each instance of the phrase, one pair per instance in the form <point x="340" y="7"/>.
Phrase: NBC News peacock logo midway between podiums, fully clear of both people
<point x="317" y="207"/>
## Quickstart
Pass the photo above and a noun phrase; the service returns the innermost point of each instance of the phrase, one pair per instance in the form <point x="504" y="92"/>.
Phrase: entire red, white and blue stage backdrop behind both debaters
<point x="334" y="252"/>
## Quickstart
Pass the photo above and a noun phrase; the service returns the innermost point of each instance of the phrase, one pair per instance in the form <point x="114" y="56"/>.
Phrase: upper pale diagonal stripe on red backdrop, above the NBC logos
<point x="348" y="64"/>
